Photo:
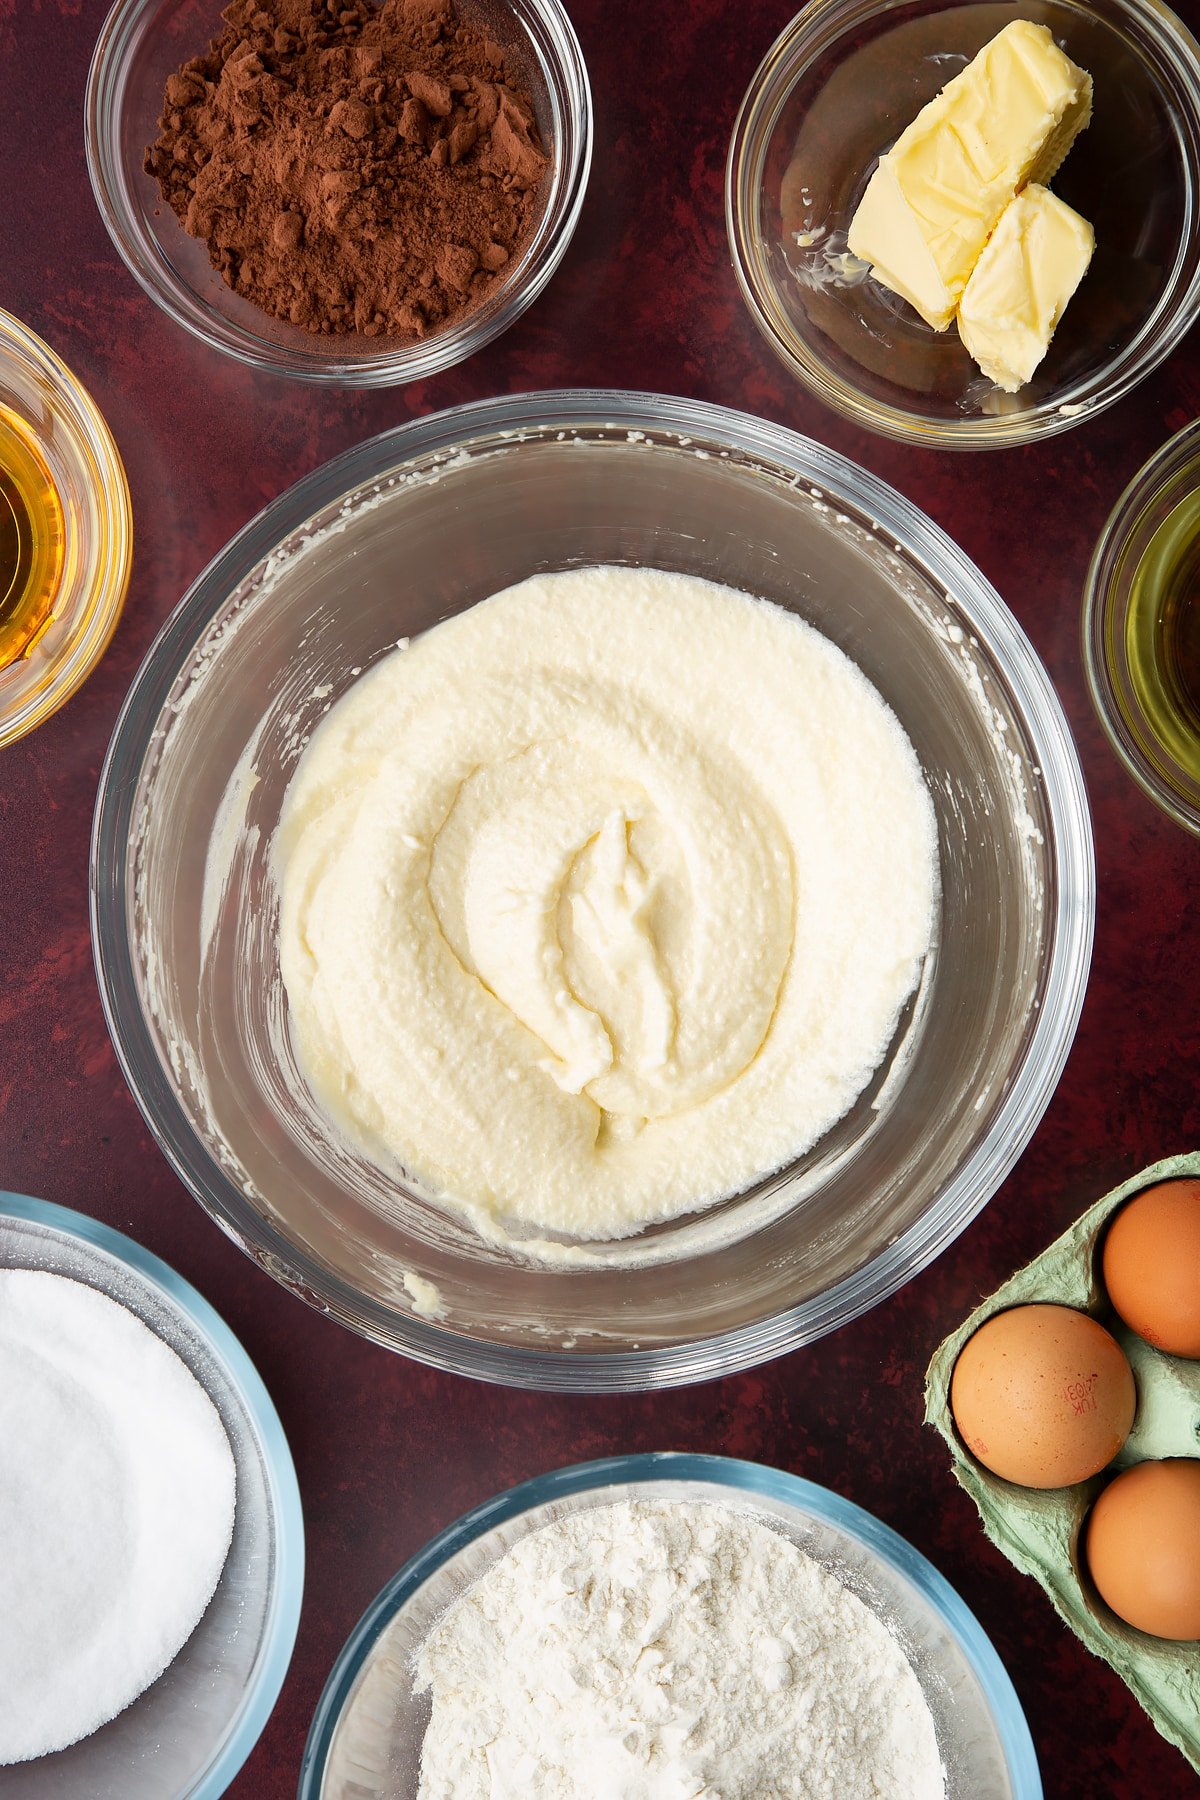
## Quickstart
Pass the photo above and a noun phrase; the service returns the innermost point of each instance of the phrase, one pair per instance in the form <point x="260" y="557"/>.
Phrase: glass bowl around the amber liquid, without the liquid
<point x="98" y="528"/>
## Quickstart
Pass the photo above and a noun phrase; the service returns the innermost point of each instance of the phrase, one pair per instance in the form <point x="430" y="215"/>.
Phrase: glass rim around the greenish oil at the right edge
<point x="1100" y="602"/>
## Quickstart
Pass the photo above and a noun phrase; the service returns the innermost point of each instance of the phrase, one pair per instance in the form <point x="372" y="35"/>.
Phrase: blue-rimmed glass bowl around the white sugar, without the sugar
<point x="186" y="1736"/>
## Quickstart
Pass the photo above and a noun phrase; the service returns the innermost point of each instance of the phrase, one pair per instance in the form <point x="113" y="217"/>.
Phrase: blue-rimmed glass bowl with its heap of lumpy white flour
<point x="668" y="1626"/>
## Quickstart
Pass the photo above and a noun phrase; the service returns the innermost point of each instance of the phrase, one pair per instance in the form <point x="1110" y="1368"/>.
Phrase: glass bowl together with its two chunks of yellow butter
<point x="967" y="228"/>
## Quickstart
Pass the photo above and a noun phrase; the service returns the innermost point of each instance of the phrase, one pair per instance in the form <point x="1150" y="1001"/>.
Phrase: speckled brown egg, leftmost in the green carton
<point x="1043" y="1396"/>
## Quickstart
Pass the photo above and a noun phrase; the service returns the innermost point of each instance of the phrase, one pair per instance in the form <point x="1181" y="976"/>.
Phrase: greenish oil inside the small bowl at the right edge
<point x="1163" y="634"/>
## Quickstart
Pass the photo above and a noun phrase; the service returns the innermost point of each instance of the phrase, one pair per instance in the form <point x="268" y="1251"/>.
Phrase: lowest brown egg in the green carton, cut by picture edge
<point x="1143" y="1547"/>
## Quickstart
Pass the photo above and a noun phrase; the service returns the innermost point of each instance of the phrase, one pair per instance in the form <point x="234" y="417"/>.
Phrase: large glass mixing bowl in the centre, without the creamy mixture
<point x="420" y="525"/>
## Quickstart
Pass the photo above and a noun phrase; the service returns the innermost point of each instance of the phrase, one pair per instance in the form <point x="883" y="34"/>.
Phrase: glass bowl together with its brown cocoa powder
<point x="359" y="197"/>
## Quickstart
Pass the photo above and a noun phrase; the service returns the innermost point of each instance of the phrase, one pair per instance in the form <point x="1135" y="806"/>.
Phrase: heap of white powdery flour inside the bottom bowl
<point x="663" y="1651"/>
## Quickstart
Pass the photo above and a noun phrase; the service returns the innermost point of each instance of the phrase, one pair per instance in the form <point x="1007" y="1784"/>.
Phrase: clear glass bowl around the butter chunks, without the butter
<point x="837" y="89"/>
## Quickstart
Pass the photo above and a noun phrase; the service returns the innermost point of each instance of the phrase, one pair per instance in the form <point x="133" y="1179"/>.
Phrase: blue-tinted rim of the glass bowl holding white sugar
<point x="289" y="1588"/>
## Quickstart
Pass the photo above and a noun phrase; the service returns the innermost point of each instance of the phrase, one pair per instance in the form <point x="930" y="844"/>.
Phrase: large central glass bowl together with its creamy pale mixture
<point x="593" y="890"/>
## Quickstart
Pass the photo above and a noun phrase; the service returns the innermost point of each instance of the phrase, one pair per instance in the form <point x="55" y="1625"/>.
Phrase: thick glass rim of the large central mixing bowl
<point x="1023" y="1104"/>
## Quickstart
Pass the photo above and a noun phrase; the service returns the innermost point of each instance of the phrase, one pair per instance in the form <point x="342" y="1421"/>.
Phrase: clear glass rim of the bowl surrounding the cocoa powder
<point x="411" y="363"/>
